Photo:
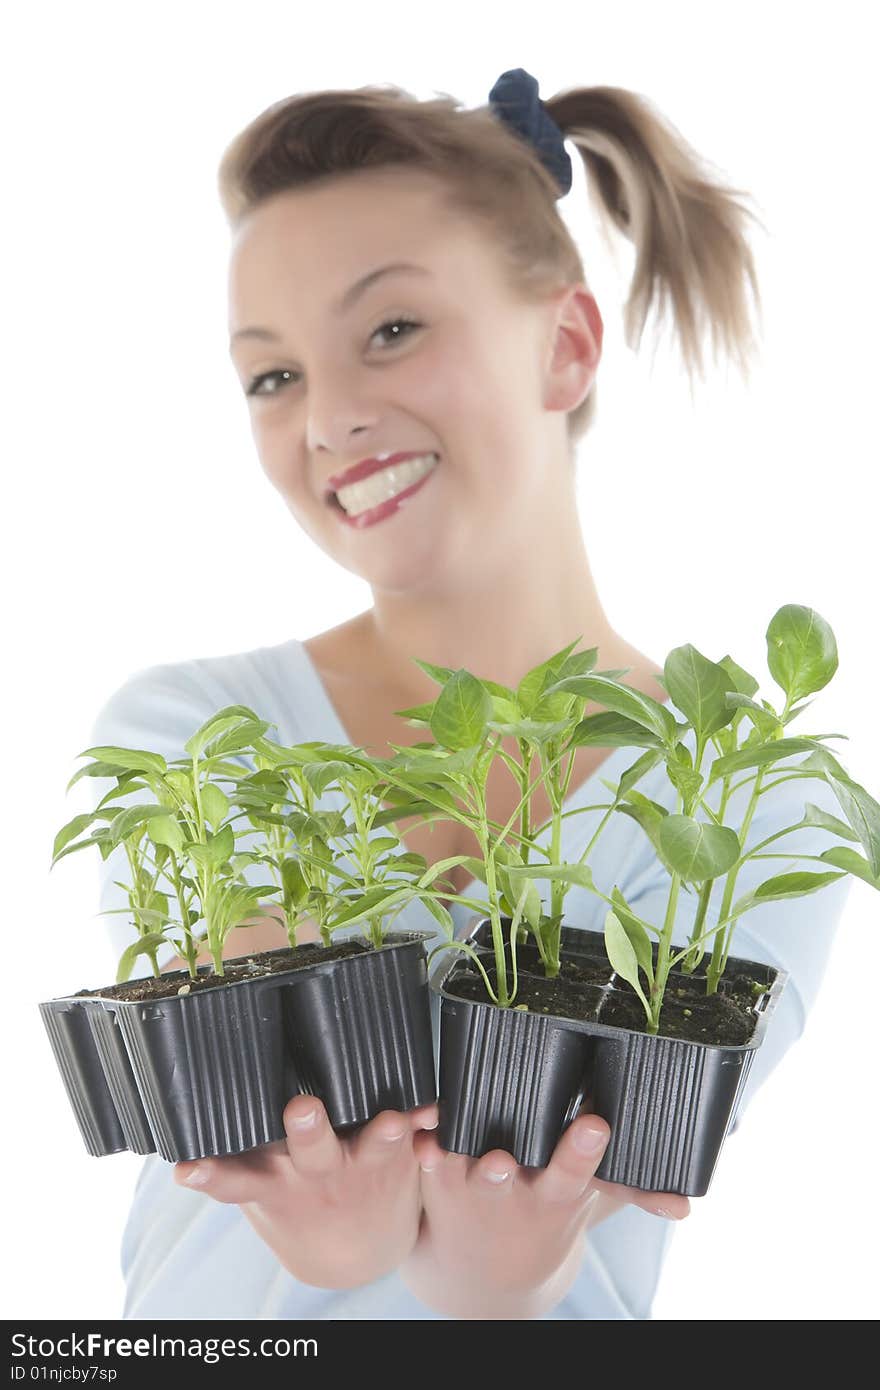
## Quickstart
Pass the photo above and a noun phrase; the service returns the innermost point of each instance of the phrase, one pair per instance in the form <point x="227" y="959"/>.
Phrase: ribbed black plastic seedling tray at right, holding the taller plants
<point x="515" y="1081"/>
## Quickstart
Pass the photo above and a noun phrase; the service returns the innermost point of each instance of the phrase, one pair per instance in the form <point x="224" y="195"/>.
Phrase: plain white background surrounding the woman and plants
<point x="140" y="529"/>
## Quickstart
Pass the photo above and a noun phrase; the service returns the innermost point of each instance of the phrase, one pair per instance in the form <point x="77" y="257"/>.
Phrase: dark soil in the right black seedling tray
<point x="724" y="1020"/>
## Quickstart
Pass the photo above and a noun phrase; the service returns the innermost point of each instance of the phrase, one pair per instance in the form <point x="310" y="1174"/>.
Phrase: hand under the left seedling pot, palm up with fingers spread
<point x="337" y="1213"/>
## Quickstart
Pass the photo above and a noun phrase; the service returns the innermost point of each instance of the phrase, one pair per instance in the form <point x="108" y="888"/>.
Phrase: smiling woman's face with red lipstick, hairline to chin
<point x="332" y="382"/>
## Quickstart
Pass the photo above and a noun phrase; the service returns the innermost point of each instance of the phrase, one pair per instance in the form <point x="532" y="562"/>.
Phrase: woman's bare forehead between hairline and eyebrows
<point x="319" y="240"/>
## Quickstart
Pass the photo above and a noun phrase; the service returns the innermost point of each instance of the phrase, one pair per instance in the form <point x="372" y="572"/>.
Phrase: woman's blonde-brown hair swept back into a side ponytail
<point x="689" y="231"/>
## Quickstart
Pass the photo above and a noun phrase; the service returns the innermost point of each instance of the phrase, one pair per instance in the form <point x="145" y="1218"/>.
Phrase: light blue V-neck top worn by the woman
<point x="186" y="1256"/>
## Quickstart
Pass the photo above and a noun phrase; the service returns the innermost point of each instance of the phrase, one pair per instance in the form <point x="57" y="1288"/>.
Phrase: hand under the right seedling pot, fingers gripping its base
<point x="505" y="1242"/>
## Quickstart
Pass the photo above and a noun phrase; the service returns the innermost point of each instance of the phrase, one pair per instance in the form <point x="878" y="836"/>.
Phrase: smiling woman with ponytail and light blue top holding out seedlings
<point x="419" y="351"/>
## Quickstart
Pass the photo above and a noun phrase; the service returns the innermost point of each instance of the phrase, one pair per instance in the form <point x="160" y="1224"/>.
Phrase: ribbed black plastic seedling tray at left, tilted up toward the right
<point x="211" y="1072"/>
